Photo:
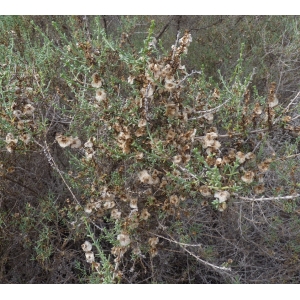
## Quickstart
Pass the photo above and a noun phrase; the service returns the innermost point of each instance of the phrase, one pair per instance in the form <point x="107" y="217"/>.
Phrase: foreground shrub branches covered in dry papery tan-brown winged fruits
<point x="158" y="156"/>
